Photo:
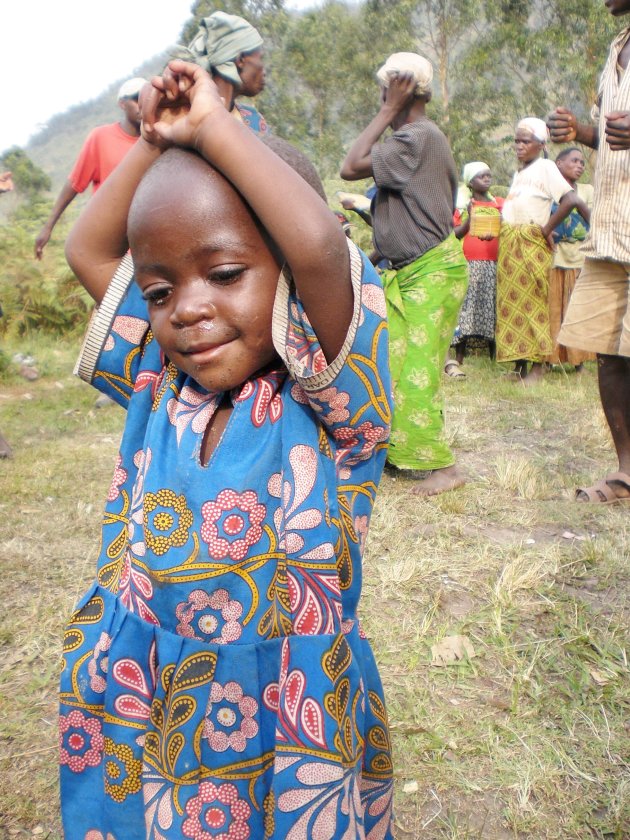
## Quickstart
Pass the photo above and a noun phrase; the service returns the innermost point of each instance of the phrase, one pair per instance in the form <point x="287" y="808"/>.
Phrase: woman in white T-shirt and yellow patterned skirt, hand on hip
<point x="525" y="252"/>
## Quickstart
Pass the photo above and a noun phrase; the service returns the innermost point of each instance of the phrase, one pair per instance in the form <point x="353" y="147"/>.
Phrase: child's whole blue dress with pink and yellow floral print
<point x="216" y="681"/>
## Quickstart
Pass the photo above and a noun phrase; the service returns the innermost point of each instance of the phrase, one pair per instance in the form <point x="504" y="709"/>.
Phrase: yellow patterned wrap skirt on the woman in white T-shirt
<point x="522" y="294"/>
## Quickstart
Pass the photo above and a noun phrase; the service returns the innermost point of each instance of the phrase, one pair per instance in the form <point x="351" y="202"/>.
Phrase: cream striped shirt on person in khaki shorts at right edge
<point x="609" y="236"/>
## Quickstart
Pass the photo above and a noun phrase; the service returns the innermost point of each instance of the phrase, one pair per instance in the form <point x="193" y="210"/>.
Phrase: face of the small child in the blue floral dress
<point x="207" y="273"/>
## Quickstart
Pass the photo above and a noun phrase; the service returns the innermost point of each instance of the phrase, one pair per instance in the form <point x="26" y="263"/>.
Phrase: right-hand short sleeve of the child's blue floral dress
<point x="351" y="396"/>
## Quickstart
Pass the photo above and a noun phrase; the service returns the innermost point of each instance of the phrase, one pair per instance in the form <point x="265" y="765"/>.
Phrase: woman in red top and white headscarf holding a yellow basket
<point x="477" y="317"/>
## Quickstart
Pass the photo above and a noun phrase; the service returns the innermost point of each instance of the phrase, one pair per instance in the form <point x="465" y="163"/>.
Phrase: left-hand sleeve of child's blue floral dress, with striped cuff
<point x="119" y="354"/>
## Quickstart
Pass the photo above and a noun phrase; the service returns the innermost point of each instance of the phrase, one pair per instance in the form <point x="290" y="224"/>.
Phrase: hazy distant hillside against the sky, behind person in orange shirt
<point x="55" y="147"/>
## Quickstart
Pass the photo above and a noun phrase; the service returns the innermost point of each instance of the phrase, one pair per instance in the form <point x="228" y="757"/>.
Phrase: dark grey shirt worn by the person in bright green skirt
<point x="416" y="177"/>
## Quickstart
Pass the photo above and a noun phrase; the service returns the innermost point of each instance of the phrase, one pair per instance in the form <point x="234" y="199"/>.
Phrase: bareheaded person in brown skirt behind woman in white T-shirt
<point x="568" y="258"/>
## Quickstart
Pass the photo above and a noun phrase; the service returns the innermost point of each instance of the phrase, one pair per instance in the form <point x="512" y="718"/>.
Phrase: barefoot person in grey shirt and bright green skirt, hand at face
<point x="412" y="216"/>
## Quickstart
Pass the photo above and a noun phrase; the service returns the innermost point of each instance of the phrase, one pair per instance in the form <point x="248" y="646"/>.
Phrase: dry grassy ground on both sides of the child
<point x="526" y="736"/>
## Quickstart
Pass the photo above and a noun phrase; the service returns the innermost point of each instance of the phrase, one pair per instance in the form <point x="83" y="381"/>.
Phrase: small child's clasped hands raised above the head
<point x="178" y="103"/>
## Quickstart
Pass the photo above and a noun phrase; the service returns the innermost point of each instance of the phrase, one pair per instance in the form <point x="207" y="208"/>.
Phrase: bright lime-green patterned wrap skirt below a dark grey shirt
<point x="423" y="303"/>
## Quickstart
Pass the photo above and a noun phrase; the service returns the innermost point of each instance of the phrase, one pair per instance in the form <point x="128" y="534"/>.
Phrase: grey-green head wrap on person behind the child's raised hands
<point x="220" y="40"/>
